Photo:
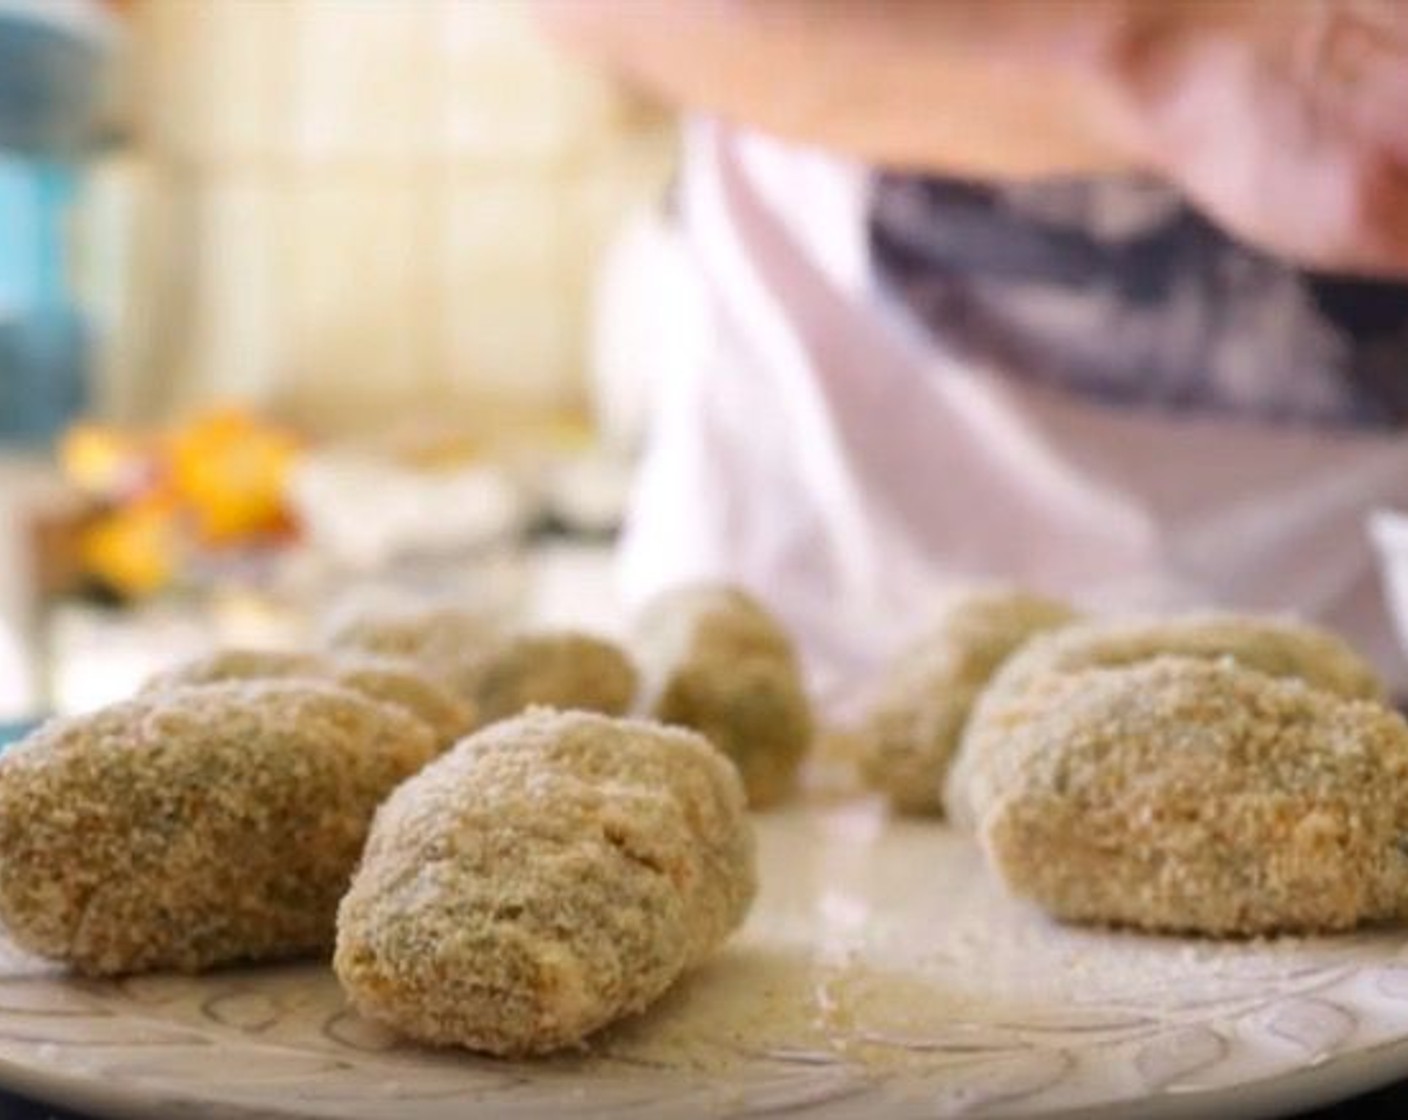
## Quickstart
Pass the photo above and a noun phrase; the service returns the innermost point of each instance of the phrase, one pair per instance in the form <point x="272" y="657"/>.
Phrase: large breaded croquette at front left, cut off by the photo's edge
<point x="195" y="828"/>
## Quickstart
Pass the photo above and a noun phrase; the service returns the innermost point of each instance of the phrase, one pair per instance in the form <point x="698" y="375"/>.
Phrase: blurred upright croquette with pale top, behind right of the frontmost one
<point x="722" y="666"/>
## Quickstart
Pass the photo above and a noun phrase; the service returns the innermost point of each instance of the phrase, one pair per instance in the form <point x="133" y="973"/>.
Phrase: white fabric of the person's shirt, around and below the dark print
<point x="823" y="452"/>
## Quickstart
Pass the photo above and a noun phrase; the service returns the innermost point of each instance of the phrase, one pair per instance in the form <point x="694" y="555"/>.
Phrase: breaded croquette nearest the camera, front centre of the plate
<point x="550" y="876"/>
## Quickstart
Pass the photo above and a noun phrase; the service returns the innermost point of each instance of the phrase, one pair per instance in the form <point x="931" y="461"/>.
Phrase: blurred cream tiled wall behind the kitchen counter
<point x="371" y="205"/>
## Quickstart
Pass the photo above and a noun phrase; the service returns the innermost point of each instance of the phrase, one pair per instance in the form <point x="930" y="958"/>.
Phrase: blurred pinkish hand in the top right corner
<point x="1285" y="120"/>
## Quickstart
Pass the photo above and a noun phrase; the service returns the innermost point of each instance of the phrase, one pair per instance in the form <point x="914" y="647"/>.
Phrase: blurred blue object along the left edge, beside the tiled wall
<point x="50" y="73"/>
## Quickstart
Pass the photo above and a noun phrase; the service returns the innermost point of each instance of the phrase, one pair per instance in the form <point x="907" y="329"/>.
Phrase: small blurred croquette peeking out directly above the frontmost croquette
<point x="562" y="670"/>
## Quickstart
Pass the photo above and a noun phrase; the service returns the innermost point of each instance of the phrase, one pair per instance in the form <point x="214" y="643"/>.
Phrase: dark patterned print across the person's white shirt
<point x="1123" y="294"/>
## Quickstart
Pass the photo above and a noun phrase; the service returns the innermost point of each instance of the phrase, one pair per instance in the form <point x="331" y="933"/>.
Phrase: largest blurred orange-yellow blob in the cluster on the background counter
<point x="230" y="470"/>
